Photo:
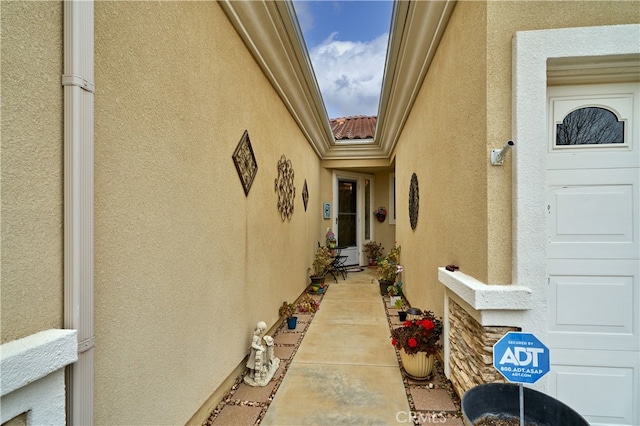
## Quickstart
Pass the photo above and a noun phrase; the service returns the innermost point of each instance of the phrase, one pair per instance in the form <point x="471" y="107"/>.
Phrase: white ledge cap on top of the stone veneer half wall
<point x="481" y="296"/>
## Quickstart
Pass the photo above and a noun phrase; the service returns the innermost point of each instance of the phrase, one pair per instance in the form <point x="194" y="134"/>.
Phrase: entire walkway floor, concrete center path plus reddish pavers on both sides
<point x="339" y="367"/>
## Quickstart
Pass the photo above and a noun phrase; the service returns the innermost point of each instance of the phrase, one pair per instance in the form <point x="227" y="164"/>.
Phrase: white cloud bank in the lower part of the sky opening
<point x="349" y="74"/>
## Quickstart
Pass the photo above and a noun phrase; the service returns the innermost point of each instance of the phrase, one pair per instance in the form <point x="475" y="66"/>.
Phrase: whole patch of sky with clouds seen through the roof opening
<point x="347" y="44"/>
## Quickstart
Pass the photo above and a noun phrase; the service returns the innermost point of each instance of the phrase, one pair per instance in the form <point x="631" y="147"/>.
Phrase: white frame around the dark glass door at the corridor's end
<point x="360" y="222"/>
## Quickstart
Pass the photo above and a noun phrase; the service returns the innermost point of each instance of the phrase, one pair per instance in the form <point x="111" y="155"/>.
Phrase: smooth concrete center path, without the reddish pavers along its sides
<point x="345" y="371"/>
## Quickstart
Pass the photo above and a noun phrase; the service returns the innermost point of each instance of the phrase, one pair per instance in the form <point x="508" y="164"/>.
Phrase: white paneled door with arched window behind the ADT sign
<point x="593" y="250"/>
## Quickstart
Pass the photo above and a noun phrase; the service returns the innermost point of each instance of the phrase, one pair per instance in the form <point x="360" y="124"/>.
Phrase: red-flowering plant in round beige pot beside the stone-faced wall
<point x="418" y="341"/>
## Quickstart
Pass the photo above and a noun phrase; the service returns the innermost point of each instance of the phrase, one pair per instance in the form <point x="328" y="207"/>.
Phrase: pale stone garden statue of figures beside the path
<point x="262" y="363"/>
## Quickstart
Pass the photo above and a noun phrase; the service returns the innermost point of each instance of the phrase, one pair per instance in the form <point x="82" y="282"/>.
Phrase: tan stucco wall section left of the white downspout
<point x="32" y="150"/>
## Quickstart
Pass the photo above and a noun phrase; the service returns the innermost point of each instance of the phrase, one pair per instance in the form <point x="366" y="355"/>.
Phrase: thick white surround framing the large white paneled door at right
<point x="530" y="74"/>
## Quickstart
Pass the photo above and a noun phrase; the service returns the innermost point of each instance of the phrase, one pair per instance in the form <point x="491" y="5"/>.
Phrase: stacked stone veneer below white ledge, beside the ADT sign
<point x="471" y="350"/>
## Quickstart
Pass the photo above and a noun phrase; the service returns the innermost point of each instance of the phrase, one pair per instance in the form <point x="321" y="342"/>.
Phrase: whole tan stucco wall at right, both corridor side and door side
<point x="462" y="112"/>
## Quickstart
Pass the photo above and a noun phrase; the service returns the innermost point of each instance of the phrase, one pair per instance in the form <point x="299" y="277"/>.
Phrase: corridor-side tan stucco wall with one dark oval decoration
<point x="443" y="142"/>
